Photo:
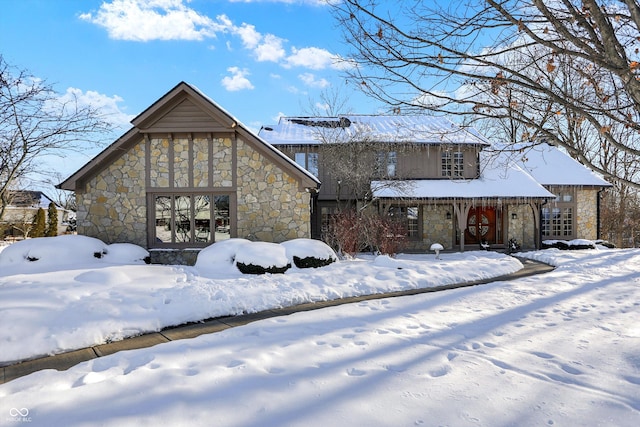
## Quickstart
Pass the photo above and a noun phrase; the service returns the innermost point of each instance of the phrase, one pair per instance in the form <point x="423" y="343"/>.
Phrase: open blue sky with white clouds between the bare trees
<point x="258" y="59"/>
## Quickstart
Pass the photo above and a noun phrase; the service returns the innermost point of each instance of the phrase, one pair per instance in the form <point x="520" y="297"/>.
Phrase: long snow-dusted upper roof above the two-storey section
<point x="415" y="129"/>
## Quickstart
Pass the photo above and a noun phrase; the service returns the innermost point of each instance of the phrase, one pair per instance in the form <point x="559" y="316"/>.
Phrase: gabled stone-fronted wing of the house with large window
<point x="188" y="174"/>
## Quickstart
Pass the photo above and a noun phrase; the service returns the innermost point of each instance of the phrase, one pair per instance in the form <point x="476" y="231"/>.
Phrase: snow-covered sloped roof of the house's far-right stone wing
<point x="551" y="166"/>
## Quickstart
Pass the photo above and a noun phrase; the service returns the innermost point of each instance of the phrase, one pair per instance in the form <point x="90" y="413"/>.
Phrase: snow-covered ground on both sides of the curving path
<point x="557" y="349"/>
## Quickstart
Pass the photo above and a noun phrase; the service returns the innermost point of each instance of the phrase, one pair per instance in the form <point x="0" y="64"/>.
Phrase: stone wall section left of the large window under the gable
<point x="112" y="207"/>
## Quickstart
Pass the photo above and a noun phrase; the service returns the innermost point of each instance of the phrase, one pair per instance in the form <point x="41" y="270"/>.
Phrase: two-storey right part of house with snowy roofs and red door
<point x="447" y="184"/>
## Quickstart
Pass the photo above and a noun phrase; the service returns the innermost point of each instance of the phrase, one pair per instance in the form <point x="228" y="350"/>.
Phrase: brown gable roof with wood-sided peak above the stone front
<point x="184" y="109"/>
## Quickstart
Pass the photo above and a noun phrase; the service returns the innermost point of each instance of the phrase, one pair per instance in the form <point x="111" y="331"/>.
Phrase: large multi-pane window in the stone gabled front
<point x="197" y="219"/>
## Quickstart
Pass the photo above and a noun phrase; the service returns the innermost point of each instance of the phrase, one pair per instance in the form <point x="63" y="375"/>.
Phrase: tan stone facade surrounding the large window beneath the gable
<point x="270" y="205"/>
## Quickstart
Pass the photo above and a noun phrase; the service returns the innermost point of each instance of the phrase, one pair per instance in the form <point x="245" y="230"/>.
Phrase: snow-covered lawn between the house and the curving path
<point x="71" y="301"/>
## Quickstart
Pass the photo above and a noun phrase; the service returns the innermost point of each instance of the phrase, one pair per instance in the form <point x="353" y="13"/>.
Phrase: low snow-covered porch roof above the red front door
<point x="499" y="179"/>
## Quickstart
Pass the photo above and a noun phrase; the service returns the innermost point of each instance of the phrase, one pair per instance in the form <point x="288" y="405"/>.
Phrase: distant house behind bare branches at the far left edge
<point x="22" y="208"/>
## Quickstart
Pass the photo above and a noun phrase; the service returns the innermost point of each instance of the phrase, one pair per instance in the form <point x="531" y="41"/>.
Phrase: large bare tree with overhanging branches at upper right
<point x="554" y="67"/>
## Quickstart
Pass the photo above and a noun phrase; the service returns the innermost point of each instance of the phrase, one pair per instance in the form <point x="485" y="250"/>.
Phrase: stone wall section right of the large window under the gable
<point x="271" y="207"/>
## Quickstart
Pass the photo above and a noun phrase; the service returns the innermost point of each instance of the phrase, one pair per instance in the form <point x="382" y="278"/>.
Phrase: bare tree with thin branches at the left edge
<point x="36" y="122"/>
